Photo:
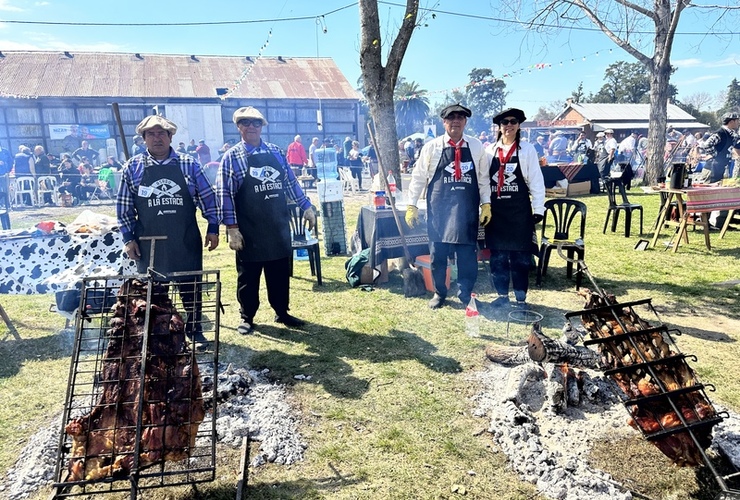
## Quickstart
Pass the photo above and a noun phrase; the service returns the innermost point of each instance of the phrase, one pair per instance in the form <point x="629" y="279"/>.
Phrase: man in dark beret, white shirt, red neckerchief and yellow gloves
<point x="454" y="170"/>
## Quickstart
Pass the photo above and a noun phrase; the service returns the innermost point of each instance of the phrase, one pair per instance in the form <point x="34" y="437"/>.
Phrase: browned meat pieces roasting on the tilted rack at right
<point x="661" y="392"/>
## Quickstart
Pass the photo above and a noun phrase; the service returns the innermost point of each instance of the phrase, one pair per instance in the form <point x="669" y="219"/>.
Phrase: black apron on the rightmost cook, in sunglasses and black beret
<point x="512" y="224"/>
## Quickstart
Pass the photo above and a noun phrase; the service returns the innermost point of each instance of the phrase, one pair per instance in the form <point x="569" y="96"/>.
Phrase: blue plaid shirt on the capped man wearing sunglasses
<point x="234" y="168"/>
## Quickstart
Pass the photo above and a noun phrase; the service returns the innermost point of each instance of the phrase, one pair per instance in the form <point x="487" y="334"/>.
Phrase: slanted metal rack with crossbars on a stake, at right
<point x="693" y="414"/>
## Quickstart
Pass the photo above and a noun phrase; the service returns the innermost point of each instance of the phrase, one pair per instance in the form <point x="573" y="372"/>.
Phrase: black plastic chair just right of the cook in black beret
<point x="561" y="213"/>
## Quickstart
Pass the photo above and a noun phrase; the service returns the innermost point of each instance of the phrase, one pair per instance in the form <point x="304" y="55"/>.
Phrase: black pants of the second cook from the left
<point x="277" y="279"/>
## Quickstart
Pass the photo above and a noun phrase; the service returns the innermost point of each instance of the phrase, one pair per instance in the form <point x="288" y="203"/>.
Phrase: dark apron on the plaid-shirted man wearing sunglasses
<point x="261" y="208"/>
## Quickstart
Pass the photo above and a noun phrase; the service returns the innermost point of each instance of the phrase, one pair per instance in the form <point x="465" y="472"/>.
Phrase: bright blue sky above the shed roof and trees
<point x="439" y="57"/>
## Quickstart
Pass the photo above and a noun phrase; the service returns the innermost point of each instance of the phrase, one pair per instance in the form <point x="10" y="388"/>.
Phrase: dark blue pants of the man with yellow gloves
<point x="467" y="267"/>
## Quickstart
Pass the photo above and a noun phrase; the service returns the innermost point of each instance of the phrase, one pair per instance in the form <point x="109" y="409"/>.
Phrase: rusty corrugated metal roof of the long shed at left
<point x="84" y="74"/>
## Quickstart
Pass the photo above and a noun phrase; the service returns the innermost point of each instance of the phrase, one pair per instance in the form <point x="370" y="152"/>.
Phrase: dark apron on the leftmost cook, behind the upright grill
<point x="164" y="207"/>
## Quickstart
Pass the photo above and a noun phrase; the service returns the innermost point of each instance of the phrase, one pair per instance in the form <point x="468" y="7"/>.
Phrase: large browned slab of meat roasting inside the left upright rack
<point x="119" y="434"/>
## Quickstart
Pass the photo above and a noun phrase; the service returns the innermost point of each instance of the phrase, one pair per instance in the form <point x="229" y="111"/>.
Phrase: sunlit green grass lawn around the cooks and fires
<point x="387" y="412"/>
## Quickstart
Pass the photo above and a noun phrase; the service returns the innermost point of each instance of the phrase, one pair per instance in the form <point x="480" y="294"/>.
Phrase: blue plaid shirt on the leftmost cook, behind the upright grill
<point x="200" y="190"/>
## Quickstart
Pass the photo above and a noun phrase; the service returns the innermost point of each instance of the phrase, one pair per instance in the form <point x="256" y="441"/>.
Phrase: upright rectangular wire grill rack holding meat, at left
<point x="110" y="443"/>
